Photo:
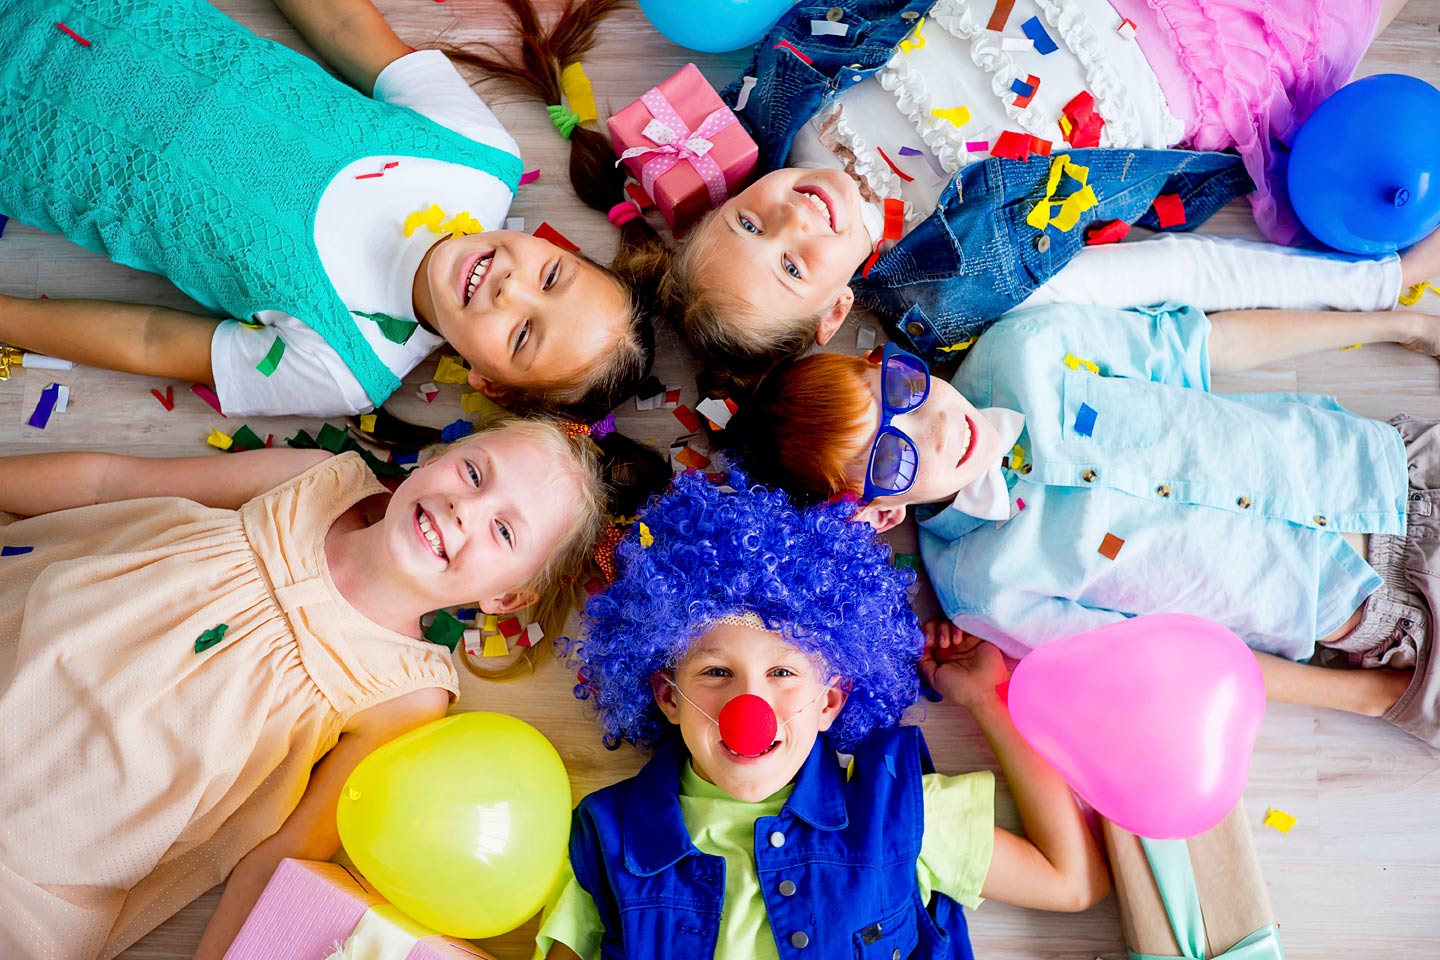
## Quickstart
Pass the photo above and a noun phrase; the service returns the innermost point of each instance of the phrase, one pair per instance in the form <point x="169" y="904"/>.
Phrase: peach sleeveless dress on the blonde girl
<point x="135" y="772"/>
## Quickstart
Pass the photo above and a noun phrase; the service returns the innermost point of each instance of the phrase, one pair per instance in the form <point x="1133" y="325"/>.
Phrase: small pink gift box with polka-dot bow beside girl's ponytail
<point x="685" y="146"/>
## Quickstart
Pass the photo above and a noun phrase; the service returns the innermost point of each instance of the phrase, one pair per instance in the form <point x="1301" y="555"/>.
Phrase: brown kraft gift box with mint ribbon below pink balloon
<point x="1215" y="902"/>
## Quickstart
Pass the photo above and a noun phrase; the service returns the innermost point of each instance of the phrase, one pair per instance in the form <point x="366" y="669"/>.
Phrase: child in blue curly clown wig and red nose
<point x="755" y="838"/>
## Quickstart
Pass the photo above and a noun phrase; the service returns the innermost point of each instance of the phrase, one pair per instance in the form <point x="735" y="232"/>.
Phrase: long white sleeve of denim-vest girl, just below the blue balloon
<point x="1218" y="274"/>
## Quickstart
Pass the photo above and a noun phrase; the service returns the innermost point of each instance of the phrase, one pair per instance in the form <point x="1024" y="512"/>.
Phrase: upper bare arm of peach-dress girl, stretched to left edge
<point x="45" y="483"/>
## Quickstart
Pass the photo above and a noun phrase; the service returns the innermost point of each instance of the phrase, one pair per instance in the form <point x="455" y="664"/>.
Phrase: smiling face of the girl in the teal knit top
<point x="521" y="310"/>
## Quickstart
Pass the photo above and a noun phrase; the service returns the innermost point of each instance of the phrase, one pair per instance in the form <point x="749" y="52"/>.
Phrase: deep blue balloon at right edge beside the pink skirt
<point x="1364" y="173"/>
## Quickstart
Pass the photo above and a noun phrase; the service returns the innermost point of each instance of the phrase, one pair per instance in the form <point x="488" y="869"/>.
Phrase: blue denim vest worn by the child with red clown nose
<point x="849" y="847"/>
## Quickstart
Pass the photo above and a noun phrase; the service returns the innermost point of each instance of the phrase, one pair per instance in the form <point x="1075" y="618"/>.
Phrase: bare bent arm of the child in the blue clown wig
<point x="1058" y="866"/>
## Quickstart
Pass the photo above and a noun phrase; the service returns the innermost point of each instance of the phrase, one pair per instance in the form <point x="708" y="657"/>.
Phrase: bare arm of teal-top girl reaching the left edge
<point x="153" y="342"/>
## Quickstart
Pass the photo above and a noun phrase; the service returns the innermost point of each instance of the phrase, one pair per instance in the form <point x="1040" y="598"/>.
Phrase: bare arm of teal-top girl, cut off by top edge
<point x="349" y="35"/>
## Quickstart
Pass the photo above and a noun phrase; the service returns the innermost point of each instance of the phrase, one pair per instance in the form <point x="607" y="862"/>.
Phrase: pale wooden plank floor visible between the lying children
<point x="1360" y="874"/>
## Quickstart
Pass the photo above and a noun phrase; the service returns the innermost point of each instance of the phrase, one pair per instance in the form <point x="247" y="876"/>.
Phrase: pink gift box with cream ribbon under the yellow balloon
<point x="318" y="912"/>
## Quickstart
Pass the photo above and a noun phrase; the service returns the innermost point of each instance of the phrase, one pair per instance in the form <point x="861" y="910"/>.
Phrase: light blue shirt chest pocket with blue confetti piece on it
<point x="1115" y="412"/>
